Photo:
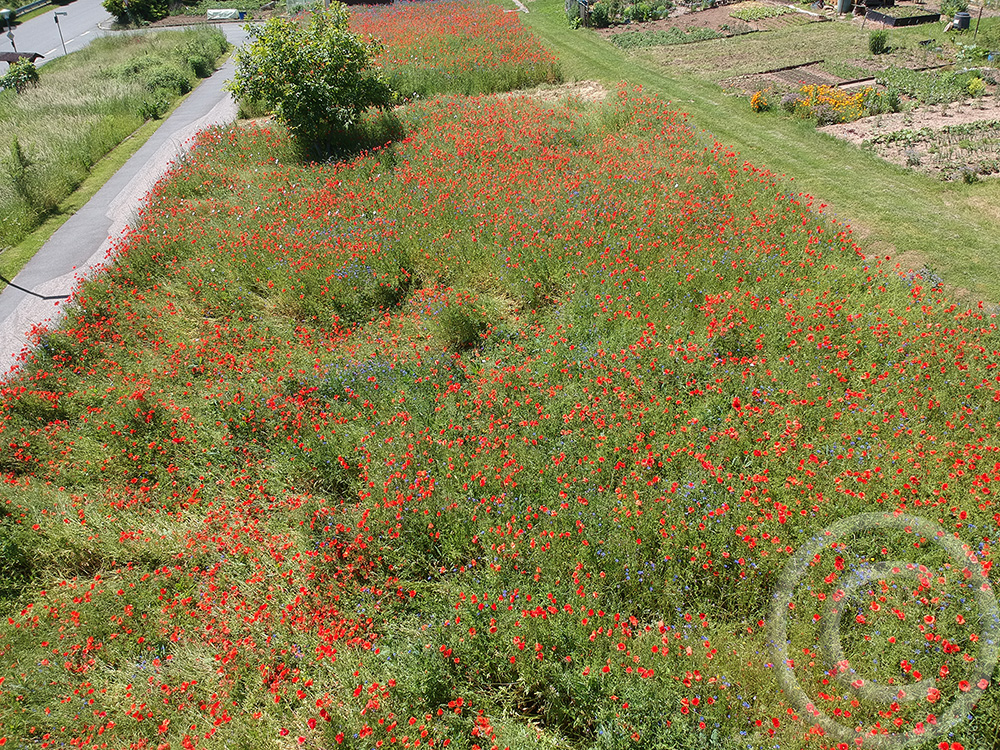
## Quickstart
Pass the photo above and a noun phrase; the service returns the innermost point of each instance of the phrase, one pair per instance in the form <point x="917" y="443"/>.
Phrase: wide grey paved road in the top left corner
<point x="79" y="26"/>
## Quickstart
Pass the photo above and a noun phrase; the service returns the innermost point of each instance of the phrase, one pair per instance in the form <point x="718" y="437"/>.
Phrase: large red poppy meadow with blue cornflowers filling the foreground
<point x="540" y="426"/>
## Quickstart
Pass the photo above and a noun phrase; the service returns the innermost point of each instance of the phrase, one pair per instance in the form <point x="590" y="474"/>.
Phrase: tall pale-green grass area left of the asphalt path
<point x="87" y="103"/>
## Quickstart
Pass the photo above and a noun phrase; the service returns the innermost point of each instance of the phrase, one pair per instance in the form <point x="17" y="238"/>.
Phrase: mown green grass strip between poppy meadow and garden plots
<point x="916" y="219"/>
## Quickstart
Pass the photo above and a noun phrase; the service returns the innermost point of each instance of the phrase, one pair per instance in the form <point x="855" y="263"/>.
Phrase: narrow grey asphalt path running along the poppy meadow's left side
<point x="82" y="245"/>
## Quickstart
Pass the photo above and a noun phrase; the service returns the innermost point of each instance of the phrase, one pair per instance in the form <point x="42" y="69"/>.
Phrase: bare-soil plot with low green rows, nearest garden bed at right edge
<point x="960" y="142"/>
